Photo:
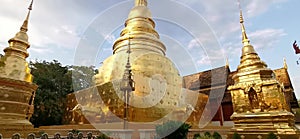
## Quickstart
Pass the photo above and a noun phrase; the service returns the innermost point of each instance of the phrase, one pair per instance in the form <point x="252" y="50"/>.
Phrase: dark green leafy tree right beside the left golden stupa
<point x="54" y="83"/>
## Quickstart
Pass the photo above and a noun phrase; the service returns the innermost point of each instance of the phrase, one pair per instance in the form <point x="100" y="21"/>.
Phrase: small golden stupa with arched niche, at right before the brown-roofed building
<point x="258" y="99"/>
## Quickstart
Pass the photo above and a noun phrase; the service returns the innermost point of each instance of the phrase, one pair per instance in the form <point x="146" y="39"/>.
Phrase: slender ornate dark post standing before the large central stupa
<point x="127" y="86"/>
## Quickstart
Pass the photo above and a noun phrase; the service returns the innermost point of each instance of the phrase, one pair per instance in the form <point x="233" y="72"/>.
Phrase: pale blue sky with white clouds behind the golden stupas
<point x="59" y="29"/>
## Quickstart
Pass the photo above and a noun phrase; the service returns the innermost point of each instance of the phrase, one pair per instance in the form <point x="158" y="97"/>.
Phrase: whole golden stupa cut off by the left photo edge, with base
<point x="16" y="88"/>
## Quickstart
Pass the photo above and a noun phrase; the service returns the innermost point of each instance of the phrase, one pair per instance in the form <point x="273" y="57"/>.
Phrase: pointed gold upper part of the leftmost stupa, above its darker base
<point x="14" y="65"/>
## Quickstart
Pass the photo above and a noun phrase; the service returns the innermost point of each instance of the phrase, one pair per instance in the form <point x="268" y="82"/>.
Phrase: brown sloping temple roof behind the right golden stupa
<point x="202" y="82"/>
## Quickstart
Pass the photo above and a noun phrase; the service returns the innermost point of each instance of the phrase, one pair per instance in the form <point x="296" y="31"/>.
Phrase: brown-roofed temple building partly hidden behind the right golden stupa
<point x="201" y="82"/>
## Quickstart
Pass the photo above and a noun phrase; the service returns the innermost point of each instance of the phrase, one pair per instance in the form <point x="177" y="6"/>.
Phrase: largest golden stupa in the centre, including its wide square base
<point x="157" y="93"/>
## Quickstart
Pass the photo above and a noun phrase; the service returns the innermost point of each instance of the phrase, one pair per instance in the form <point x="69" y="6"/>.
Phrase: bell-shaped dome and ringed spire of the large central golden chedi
<point x="157" y="81"/>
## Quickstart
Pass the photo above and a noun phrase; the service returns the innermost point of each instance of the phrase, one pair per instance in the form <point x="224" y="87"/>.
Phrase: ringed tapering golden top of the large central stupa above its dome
<point x="141" y="28"/>
